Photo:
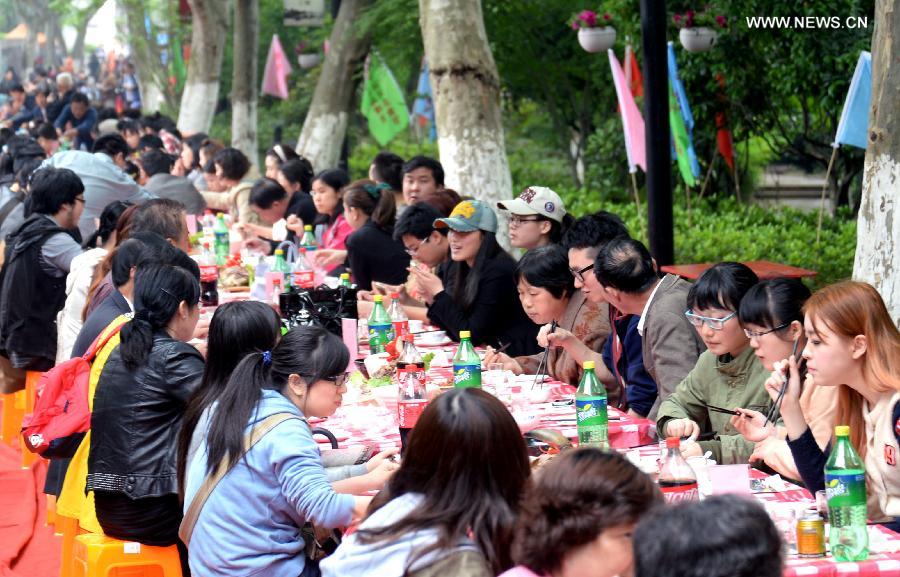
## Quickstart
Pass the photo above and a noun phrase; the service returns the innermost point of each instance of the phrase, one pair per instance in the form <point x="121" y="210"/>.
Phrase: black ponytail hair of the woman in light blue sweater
<point x="311" y="352"/>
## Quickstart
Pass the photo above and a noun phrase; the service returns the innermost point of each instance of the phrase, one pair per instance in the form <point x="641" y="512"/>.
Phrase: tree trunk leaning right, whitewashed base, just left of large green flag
<point x="326" y="122"/>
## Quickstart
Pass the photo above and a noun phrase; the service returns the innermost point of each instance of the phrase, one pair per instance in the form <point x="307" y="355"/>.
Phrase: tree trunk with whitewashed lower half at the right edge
<point x="878" y="228"/>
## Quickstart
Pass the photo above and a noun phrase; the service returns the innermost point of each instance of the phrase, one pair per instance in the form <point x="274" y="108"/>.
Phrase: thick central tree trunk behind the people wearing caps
<point x="466" y="89"/>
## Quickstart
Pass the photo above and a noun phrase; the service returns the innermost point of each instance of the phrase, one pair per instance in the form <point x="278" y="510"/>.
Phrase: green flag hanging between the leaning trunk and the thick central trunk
<point x="383" y="104"/>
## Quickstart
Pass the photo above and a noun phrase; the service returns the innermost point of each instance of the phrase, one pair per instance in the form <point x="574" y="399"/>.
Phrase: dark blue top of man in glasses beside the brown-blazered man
<point x="639" y="385"/>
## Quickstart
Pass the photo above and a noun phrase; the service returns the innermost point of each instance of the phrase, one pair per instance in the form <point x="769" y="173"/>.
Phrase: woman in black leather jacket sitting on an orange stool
<point x="138" y="407"/>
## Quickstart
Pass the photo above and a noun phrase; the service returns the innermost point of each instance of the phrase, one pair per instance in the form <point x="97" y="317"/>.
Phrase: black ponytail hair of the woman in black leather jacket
<point x="158" y="291"/>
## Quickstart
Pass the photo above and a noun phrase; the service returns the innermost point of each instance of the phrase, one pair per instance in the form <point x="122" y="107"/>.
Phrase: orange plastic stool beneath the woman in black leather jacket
<point x="102" y="556"/>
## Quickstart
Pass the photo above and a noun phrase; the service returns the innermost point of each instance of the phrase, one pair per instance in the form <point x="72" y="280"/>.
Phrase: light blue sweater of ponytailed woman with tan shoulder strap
<point x="251" y="522"/>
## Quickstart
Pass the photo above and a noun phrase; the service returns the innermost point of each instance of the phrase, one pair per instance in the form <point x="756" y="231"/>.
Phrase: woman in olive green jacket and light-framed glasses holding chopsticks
<point x="727" y="374"/>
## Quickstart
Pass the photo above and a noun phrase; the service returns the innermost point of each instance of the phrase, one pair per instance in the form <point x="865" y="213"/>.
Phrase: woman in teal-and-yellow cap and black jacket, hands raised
<point x="480" y="282"/>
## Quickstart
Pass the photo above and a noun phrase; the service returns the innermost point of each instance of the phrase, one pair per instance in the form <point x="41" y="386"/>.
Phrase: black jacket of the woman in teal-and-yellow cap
<point x="495" y="317"/>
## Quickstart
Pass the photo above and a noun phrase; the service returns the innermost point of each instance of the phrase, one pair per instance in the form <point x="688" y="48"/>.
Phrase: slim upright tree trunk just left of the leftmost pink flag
<point x="245" y="85"/>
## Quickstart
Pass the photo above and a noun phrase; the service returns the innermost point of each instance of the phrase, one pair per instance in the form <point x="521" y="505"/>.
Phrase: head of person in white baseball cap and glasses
<point x="536" y="218"/>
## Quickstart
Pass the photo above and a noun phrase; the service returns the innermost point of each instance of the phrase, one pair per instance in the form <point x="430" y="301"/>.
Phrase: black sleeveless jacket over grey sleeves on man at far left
<point x="29" y="297"/>
